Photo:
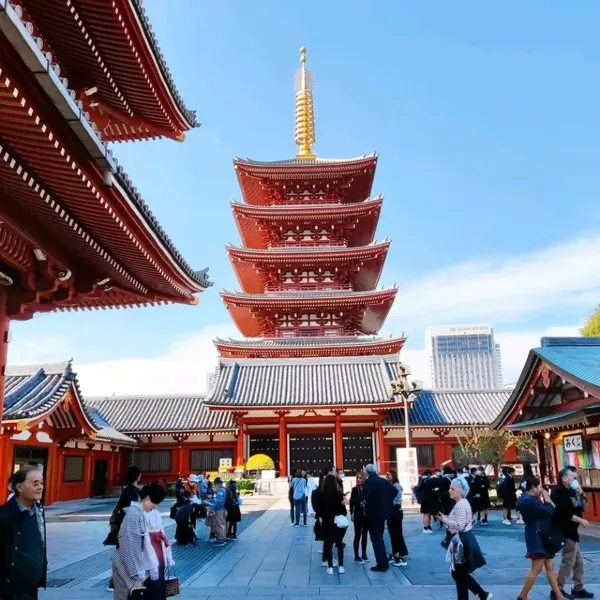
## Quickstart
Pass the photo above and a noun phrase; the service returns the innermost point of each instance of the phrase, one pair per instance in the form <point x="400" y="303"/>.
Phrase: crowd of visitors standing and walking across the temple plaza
<point x="143" y="560"/>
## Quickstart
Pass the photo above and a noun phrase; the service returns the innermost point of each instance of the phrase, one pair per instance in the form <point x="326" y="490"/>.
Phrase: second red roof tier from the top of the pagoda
<point x="256" y="223"/>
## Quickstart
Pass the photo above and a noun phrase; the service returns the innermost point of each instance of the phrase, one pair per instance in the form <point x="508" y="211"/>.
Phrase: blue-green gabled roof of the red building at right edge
<point x="560" y="371"/>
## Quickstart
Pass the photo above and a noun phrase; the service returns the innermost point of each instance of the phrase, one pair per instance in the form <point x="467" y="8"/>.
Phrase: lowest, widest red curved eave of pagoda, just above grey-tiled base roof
<point x="229" y="349"/>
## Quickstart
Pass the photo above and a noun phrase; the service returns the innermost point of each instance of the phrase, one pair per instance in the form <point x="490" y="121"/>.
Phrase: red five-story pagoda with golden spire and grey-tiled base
<point x="308" y="267"/>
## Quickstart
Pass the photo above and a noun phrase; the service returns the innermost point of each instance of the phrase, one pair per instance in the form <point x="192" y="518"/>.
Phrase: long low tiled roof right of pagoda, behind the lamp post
<point x="451" y="407"/>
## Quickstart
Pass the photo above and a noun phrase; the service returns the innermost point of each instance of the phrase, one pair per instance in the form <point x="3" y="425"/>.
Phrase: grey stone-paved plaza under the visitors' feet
<point x="273" y="560"/>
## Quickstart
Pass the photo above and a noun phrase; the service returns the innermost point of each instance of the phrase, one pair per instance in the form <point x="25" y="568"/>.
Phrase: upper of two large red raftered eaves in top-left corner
<point x="107" y="51"/>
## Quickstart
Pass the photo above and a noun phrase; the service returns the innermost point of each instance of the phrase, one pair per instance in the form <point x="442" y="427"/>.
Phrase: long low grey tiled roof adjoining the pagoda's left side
<point x="160" y="414"/>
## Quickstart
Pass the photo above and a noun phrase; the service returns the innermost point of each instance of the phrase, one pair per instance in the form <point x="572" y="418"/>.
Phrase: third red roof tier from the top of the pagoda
<point x="254" y="268"/>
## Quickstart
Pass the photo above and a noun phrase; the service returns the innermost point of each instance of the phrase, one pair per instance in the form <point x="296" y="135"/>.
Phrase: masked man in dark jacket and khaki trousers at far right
<point x="569" y="506"/>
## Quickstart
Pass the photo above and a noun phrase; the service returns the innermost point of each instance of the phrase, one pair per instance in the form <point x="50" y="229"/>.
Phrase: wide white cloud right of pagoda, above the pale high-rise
<point x="508" y="289"/>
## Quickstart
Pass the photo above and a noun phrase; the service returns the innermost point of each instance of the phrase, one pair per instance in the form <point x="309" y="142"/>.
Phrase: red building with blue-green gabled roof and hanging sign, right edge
<point x="557" y="400"/>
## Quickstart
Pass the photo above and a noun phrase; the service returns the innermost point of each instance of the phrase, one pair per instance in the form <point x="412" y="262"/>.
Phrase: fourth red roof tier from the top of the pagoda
<point x="249" y="311"/>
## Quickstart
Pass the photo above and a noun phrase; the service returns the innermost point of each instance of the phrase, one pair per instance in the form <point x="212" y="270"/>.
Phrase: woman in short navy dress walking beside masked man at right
<point x="541" y="540"/>
